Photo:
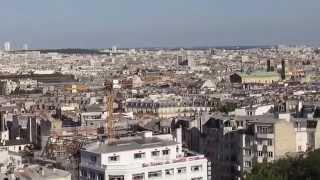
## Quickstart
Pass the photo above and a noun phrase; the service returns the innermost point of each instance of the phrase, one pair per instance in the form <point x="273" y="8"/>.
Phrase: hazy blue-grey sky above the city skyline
<point x="158" y="23"/>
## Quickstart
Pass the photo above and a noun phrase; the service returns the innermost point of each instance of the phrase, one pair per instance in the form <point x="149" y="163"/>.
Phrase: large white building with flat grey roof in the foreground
<point x="142" y="158"/>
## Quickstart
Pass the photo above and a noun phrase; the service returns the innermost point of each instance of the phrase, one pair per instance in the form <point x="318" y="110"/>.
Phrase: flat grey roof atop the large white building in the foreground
<point x="127" y="145"/>
